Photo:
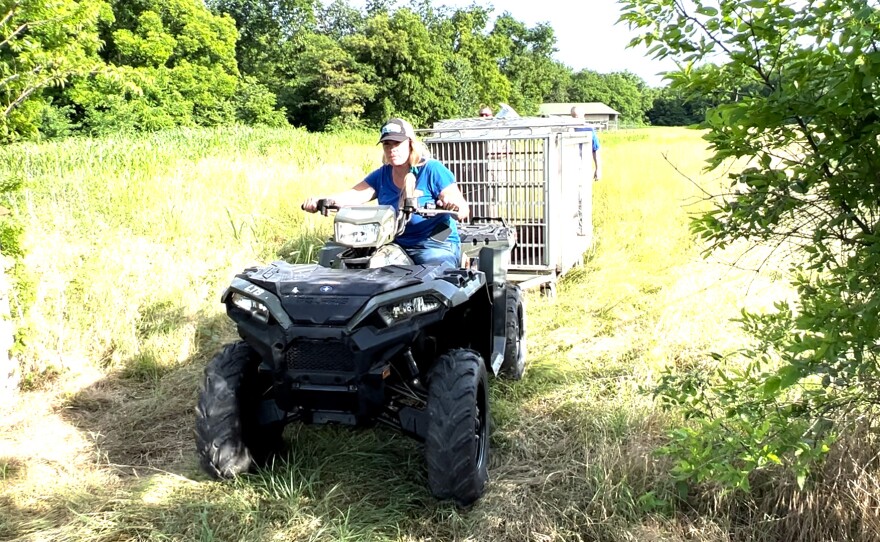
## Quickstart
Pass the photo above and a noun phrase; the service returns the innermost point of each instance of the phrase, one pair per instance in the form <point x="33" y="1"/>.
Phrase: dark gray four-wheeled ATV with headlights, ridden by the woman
<point x="365" y="337"/>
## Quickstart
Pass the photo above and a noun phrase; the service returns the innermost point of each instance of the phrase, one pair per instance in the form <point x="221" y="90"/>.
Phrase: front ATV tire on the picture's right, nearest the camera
<point x="457" y="443"/>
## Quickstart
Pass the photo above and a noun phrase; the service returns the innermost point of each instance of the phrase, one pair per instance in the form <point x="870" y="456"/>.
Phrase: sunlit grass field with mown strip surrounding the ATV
<point x="130" y="243"/>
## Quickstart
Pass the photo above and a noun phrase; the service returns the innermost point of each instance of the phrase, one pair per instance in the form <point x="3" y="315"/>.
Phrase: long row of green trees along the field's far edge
<point x="103" y="66"/>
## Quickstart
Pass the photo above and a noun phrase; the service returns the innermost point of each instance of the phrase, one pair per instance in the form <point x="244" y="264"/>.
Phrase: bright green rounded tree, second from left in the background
<point x="170" y="62"/>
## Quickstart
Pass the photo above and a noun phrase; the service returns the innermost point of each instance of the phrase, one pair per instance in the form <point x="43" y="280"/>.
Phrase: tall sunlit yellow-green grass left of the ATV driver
<point x="130" y="241"/>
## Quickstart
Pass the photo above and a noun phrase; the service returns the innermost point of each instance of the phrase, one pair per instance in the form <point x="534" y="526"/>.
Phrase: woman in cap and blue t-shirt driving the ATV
<point x="427" y="240"/>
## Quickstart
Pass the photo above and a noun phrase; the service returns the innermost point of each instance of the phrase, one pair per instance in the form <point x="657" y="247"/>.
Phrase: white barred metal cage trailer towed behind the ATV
<point x="533" y="172"/>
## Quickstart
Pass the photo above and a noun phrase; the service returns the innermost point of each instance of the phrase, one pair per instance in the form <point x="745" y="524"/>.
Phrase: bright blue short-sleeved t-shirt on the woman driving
<point x="431" y="178"/>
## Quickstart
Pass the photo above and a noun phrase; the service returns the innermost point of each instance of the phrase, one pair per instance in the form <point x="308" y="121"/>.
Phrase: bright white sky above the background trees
<point x="586" y="34"/>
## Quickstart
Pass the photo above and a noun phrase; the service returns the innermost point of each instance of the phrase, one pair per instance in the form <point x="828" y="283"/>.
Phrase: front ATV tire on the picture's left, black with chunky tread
<point x="229" y="436"/>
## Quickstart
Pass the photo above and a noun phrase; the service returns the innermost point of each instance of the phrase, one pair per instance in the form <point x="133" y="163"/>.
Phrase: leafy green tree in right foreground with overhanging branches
<point x="802" y="117"/>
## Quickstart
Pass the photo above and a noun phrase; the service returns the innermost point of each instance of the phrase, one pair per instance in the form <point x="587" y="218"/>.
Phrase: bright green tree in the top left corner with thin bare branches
<point x="43" y="45"/>
